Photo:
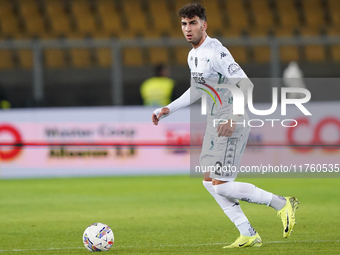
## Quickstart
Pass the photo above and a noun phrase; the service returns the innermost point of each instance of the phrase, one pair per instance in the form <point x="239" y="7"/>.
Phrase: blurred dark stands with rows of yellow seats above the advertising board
<point x="97" y="52"/>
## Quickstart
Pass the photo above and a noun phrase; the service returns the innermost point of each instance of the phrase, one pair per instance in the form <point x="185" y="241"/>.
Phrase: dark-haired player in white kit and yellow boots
<point x="223" y="145"/>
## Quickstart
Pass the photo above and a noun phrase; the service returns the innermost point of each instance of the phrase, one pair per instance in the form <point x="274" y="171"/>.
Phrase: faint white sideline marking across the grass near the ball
<point x="169" y="245"/>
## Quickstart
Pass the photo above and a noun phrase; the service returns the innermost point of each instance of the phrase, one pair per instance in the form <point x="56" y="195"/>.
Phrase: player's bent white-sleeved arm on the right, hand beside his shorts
<point x="224" y="63"/>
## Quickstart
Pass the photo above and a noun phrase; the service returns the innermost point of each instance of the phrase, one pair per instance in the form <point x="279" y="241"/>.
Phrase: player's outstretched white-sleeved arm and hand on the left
<point x="190" y="96"/>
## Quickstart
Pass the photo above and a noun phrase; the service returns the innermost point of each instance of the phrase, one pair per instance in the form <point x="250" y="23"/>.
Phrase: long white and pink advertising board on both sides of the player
<point x="123" y="141"/>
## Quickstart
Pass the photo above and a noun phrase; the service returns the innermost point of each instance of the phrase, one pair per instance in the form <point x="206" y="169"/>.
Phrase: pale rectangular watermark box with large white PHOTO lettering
<point x="281" y="131"/>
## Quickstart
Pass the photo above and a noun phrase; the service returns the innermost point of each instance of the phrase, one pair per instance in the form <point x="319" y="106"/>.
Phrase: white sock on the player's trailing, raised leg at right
<point x="245" y="192"/>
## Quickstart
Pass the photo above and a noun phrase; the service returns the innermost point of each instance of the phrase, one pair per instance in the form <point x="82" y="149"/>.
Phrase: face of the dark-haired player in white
<point x="194" y="30"/>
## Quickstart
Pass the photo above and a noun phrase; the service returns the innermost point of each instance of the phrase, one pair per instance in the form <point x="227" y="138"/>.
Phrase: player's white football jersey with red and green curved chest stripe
<point x="212" y="64"/>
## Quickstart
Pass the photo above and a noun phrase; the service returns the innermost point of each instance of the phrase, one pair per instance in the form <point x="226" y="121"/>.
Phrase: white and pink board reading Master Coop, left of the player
<point x="91" y="141"/>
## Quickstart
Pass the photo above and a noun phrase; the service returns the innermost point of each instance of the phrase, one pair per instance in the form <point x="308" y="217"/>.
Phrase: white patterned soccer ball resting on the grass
<point x="98" y="237"/>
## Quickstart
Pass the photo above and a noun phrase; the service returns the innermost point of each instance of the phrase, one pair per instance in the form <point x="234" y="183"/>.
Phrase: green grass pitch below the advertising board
<point x="160" y="215"/>
